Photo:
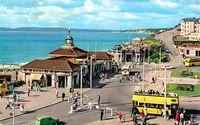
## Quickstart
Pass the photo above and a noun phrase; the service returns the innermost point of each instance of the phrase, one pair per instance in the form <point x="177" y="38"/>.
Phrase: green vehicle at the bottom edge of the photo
<point x="46" y="120"/>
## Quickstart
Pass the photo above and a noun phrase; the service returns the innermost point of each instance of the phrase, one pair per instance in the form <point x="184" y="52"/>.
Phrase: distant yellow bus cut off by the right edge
<point x="192" y="62"/>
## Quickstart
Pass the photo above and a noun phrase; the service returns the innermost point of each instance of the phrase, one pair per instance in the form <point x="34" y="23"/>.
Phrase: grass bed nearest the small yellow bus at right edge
<point x="178" y="73"/>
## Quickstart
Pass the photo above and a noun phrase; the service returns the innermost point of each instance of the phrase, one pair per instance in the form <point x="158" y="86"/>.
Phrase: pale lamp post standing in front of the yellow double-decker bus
<point x="165" y="95"/>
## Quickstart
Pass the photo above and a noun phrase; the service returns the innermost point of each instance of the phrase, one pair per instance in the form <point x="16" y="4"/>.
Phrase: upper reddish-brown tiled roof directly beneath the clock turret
<point x="69" y="51"/>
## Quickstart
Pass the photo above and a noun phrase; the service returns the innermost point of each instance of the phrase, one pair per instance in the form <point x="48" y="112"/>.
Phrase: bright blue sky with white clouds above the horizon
<point x="97" y="14"/>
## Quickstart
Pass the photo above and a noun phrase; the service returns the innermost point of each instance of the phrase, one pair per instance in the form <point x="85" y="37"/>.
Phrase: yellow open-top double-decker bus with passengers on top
<point x="155" y="103"/>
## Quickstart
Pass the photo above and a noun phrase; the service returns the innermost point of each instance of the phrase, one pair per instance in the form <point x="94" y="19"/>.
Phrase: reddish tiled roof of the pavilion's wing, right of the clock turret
<point x="100" y="55"/>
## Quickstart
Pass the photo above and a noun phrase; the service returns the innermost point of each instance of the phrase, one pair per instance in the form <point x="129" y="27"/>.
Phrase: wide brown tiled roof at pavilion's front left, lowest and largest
<point x="59" y="65"/>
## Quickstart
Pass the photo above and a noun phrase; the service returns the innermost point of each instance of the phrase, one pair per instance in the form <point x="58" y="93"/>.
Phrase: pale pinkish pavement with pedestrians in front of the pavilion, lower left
<point x="36" y="100"/>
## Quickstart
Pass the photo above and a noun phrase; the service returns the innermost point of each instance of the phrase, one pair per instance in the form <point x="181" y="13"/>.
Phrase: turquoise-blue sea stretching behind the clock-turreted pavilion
<point x="19" y="47"/>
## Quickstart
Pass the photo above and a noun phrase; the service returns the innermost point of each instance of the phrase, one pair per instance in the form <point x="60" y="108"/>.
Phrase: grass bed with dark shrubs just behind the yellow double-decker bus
<point x="174" y="88"/>
